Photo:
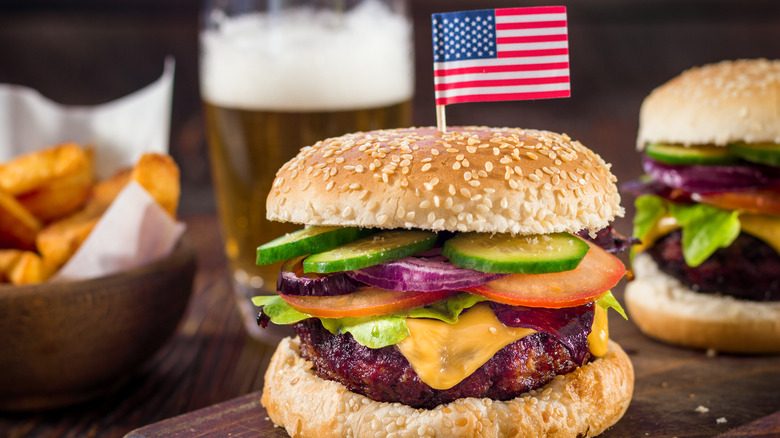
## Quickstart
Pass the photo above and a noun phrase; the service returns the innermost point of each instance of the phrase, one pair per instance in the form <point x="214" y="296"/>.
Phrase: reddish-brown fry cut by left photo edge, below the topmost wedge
<point x="17" y="226"/>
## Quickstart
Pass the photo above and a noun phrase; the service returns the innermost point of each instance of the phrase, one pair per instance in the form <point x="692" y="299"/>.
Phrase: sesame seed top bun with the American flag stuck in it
<point x="469" y="179"/>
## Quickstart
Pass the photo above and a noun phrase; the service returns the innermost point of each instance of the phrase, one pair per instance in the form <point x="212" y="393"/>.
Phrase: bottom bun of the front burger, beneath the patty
<point x="582" y="403"/>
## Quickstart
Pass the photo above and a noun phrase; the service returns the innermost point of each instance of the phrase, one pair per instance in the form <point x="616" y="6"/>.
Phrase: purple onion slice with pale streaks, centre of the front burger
<point x="421" y="274"/>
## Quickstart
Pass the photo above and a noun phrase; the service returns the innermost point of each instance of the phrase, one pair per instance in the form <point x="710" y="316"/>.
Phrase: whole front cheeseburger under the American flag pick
<point x="445" y="284"/>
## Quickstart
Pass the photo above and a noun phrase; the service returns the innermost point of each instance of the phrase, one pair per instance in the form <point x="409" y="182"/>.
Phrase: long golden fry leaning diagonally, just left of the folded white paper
<point x="58" y="241"/>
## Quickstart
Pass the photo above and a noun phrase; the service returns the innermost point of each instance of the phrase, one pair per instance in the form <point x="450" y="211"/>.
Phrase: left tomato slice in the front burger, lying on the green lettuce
<point x="367" y="301"/>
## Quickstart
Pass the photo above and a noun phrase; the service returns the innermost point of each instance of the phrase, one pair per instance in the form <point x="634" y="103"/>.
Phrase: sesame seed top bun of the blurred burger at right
<point x="715" y="104"/>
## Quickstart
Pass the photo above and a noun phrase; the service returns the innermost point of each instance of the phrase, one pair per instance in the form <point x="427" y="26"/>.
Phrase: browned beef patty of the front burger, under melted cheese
<point x="385" y="375"/>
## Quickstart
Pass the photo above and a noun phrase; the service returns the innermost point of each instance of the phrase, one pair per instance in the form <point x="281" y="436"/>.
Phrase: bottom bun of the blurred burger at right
<point x="665" y="309"/>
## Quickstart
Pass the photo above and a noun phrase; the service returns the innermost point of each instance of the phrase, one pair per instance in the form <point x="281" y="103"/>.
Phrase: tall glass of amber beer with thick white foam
<point x="278" y="75"/>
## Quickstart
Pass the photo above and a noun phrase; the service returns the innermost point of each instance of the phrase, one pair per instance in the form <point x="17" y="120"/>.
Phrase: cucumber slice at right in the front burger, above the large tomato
<point x="507" y="254"/>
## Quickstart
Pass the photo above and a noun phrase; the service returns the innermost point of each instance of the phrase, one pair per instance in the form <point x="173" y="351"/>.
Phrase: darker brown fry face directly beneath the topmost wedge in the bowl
<point x="59" y="197"/>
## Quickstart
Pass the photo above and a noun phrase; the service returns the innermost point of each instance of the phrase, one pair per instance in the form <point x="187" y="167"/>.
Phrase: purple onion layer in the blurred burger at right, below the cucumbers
<point x="711" y="179"/>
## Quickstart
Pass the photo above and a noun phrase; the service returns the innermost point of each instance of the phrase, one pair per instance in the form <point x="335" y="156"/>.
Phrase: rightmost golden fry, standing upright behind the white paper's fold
<point x="159" y="175"/>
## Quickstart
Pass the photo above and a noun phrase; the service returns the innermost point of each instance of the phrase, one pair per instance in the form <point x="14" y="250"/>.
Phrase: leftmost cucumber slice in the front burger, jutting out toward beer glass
<point x="308" y="241"/>
